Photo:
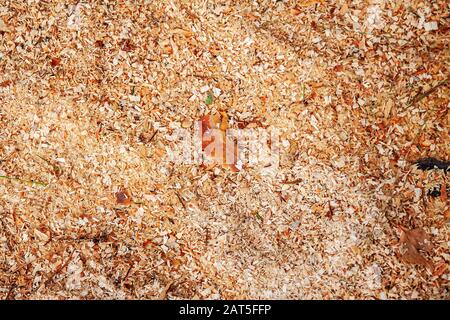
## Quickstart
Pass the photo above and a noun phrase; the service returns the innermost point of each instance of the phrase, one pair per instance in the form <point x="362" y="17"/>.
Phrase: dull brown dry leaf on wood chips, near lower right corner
<point x="411" y="243"/>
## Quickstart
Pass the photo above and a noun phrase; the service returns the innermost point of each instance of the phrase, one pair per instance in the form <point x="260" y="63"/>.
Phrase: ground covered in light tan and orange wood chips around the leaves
<point x="90" y="208"/>
